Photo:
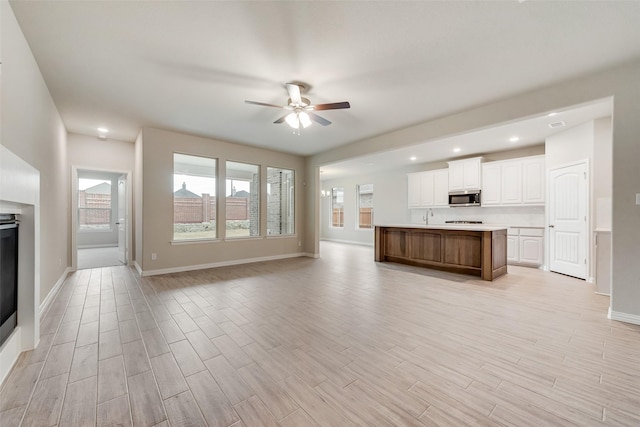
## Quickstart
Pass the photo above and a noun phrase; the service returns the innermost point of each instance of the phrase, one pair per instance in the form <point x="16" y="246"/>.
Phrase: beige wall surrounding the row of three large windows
<point x="157" y="148"/>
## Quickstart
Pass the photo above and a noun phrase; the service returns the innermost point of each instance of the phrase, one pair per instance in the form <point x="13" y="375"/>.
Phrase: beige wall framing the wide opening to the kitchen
<point x="623" y="83"/>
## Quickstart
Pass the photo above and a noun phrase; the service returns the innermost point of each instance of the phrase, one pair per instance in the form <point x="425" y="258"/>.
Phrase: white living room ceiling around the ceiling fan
<point x="189" y="66"/>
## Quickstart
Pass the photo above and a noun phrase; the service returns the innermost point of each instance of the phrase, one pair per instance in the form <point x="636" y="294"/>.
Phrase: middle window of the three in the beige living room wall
<point x="243" y="200"/>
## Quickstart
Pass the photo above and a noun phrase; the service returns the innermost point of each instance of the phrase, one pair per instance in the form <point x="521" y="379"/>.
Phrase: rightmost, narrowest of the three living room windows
<point x="280" y="201"/>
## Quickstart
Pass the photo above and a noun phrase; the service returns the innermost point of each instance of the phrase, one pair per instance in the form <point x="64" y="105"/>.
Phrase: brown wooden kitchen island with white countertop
<point x="479" y="250"/>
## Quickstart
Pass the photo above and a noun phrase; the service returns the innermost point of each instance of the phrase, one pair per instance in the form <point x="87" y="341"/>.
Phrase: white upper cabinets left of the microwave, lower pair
<point x="428" y="189"/>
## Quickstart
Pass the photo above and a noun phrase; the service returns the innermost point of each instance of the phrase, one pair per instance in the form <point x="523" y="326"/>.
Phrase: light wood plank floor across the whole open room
<point x="335" y="341"/>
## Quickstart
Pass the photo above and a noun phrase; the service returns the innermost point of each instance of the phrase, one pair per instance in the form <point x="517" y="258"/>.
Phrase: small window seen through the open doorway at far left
<point x="94" y="204"/>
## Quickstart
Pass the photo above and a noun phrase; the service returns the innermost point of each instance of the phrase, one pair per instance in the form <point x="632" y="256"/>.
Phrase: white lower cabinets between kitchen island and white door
<point x="525" y="245"/>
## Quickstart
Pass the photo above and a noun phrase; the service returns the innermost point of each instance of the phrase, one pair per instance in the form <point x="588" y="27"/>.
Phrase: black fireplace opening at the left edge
<point x="8" y="275"/>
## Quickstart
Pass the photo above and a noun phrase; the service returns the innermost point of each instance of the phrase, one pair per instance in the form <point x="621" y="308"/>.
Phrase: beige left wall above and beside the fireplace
<point x="34" y="131"/>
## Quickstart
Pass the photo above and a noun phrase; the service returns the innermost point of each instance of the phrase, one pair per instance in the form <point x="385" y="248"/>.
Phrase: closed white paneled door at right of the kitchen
<point x="568" y="220"/>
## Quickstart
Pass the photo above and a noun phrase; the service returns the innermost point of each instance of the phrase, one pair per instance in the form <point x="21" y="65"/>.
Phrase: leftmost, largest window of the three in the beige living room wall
<point x="194" y="197"/>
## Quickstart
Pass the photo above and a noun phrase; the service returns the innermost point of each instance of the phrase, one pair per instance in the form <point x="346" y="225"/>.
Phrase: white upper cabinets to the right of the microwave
<point x="514" y="182"/>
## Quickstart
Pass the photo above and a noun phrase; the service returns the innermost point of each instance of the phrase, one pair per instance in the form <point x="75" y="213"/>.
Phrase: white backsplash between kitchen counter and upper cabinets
<point x="511" y="216"/>
